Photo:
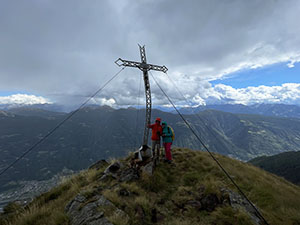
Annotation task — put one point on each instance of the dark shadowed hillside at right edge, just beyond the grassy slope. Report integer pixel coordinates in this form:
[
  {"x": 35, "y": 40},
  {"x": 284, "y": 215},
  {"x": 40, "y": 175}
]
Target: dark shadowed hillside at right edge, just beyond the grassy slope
[{"x": 285, "y": 164}]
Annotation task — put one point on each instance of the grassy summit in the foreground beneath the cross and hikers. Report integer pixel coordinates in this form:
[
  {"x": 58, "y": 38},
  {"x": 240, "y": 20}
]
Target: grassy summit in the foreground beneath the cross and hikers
[{"x": 170, "y": 196}]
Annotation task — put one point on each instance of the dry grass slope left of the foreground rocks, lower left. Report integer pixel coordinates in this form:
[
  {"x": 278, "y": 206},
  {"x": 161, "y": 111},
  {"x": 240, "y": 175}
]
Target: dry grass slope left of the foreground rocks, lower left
[{"x": 48, "y": 209}]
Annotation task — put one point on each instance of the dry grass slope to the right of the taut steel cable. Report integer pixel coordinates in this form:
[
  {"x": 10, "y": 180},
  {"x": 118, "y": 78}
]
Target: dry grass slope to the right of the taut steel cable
[{"x": 278, "y": 198}]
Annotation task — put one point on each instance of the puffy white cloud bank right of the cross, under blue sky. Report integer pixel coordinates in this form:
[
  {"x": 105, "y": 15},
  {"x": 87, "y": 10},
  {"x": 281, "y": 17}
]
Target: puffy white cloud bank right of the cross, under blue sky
[{"x": 288, "y": 93}]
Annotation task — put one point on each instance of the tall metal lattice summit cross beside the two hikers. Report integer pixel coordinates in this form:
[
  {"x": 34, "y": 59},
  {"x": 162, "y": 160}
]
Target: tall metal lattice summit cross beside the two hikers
[{"x": 144, "y": 67}]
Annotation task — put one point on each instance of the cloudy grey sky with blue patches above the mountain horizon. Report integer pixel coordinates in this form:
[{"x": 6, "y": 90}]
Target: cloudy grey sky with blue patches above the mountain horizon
[{"x": 217, "y": 52}]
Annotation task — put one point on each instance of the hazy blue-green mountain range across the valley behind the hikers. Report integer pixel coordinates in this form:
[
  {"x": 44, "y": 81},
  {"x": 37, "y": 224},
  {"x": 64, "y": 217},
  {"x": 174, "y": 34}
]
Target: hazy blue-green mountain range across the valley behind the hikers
[{"x": 103, "y": 132}]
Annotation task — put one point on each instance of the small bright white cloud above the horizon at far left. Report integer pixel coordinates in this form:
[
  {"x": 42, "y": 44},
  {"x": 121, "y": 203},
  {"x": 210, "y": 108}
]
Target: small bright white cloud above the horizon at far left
[{"x": 23, "y": 99}]
